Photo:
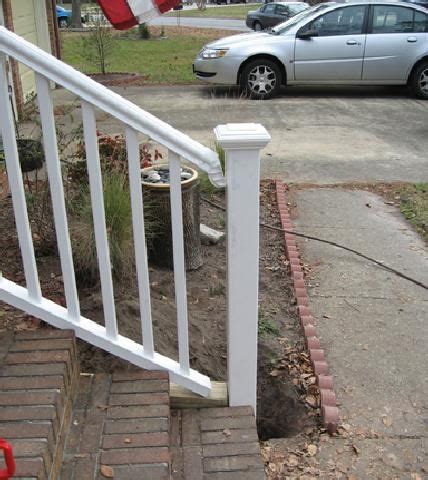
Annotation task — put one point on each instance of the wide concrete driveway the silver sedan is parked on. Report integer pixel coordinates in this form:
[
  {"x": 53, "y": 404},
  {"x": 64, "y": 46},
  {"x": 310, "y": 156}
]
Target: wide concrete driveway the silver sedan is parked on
[{"x": 319, "y": 135}]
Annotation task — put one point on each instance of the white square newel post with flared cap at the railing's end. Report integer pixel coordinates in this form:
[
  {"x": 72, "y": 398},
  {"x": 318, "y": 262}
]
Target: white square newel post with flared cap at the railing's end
[{"x": 242, "y": 144}]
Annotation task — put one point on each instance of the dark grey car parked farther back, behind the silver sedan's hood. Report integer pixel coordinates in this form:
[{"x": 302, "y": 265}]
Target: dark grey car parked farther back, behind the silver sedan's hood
[{"x": 271, "y": 14}]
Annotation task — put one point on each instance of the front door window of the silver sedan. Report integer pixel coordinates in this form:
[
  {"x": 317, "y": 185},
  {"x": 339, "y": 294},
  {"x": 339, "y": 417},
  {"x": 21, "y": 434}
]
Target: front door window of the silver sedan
[{"x": 342, "y": 21}]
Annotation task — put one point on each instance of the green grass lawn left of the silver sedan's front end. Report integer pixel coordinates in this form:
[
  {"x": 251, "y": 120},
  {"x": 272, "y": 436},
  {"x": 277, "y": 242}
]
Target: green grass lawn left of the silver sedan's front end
[{"x": 166, "y": 60}]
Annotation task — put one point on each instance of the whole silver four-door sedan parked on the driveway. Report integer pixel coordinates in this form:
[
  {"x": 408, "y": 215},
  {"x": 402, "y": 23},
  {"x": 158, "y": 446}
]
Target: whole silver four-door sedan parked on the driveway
[{"x": 359, "y": 43}]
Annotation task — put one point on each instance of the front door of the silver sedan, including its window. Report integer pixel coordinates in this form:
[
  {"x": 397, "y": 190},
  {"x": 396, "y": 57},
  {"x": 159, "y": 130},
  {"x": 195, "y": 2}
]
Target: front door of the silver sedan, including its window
[{"x": 335, "y": 51}]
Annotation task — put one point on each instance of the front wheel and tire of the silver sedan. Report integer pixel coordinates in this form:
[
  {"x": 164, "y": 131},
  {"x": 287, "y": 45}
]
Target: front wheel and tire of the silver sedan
[{"x": 261, "y": 79}]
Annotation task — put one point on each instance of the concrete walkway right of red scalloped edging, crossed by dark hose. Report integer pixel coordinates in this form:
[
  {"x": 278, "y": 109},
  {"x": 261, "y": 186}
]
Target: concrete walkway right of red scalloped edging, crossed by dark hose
[{"x": 373, "y": 327}]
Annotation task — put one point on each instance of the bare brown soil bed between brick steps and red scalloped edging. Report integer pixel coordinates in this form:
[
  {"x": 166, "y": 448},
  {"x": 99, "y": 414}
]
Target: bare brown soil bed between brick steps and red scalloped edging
[{"x": 288, "y": 397}]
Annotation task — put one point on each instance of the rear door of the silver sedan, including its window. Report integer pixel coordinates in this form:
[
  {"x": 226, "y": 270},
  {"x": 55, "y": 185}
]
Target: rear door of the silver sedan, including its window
[{"x": 396, "y": 37}]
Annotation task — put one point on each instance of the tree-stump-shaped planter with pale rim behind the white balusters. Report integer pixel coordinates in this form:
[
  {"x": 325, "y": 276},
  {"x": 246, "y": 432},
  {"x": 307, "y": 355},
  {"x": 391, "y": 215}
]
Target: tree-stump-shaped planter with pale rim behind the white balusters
[{"x": 157, "y": 203}]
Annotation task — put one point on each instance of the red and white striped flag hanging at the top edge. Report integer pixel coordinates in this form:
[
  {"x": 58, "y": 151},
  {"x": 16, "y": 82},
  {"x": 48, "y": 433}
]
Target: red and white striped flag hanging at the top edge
[{"x": 124, "y": 14}]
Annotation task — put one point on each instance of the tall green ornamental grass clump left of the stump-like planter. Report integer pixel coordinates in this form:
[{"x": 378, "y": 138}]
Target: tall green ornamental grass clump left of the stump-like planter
[{"x": 117, "y": 206}]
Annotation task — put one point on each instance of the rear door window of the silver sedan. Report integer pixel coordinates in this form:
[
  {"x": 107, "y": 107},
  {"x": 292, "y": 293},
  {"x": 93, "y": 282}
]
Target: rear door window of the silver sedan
[{"x": 392, "y": 19}]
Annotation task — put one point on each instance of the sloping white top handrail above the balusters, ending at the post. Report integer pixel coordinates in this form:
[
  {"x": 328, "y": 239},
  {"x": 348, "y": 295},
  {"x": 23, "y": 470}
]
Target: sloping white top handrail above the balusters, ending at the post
[{"x": 112, "y": 103}]
